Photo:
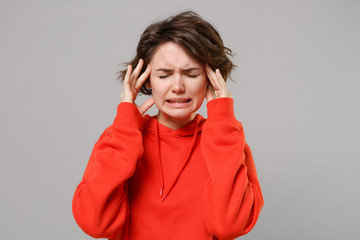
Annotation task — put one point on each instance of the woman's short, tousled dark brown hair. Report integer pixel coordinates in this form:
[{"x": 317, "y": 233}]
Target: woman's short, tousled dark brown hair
[{"x": 195, "y": 35}]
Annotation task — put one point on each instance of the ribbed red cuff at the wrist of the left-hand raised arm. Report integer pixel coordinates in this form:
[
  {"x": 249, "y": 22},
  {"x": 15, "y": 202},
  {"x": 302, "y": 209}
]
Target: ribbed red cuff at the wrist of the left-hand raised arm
[{"x": 128, "y": 115}]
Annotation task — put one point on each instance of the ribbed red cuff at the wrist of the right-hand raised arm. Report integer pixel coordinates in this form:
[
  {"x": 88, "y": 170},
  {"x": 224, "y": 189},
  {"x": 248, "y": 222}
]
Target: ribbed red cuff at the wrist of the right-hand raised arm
[{"x": 221, "y": 109}]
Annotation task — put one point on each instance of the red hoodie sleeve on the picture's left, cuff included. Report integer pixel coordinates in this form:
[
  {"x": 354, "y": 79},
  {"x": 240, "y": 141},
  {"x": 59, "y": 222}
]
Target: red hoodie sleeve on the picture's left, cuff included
[{"x": 100, "y": 205}]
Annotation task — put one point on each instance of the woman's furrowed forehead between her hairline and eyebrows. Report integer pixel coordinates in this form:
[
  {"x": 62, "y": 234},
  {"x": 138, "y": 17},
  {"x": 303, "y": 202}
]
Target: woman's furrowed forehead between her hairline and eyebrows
[{"x": 171, "y": 55}]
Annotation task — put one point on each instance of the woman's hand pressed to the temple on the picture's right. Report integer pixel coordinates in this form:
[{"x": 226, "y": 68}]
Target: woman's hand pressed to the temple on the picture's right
[{"x": 218, "y": 88}]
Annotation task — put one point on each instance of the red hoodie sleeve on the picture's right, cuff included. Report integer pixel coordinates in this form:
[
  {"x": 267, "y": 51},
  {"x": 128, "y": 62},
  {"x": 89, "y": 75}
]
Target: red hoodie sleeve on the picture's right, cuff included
[{"x": 233, "y": 194}]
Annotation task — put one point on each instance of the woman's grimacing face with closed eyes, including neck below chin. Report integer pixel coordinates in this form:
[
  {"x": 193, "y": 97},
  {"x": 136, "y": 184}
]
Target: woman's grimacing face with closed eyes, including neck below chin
[{"x": 178, "y": 84}]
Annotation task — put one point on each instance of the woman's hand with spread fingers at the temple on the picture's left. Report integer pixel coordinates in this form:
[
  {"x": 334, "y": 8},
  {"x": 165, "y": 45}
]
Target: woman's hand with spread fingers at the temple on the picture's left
[{"x": 133, "y": 83}]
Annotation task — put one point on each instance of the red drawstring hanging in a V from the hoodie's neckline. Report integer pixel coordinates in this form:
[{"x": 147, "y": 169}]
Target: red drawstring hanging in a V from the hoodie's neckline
[{"x": 187, "y": 158}]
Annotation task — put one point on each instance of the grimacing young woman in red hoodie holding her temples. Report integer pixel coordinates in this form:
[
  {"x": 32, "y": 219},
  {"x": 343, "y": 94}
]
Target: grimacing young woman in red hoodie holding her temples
[{"x": 175, "y": 175}]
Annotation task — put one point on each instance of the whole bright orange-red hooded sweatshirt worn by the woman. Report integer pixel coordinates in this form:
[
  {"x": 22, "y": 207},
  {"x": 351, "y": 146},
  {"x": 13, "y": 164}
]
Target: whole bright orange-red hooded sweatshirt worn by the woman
[{"x": 146, "y": 181}]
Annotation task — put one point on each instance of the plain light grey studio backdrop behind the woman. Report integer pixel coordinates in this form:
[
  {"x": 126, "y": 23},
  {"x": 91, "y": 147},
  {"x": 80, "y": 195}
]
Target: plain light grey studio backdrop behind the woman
[{"x": 296, "y": 92}]
